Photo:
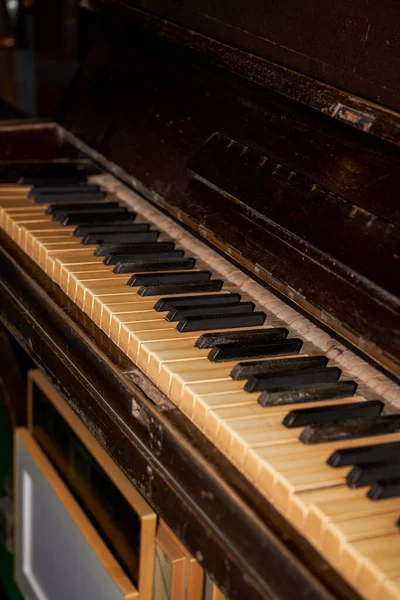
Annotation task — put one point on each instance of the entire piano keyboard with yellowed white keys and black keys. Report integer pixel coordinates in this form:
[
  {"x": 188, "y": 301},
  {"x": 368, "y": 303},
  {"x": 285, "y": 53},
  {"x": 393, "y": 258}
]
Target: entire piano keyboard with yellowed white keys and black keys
[{"x": 319, "y": 440}]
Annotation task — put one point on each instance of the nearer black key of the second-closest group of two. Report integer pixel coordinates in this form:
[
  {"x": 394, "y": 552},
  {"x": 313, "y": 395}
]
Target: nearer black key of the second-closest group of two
[{"x": 241, "y": 351}]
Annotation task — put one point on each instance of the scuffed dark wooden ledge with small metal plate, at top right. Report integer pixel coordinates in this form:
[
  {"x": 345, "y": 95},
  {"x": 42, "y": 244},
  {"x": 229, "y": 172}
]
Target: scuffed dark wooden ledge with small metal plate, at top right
[{"x": 336, "y": 102}]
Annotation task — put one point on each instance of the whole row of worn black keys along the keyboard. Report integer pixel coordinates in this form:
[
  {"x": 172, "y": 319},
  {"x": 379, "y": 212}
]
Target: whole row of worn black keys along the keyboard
[{"x": 133, "y": 247}]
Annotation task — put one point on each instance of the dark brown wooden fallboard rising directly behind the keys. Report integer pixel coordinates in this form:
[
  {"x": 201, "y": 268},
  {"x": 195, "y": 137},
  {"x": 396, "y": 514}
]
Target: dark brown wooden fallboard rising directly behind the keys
[{"x": 320, "y": 223}]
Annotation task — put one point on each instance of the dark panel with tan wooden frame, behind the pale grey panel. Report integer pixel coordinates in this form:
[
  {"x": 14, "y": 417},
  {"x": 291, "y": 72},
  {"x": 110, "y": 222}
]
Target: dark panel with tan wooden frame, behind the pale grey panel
[{"x": 121, "y": 516}]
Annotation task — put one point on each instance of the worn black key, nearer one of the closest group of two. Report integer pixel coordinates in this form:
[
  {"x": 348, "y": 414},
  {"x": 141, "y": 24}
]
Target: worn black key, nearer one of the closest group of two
[{"x": 350, "y": 429}]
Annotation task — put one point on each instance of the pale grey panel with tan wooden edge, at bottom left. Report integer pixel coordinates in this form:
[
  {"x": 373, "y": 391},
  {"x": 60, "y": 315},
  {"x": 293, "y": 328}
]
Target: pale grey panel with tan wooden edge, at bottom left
[{"x": 59, "y": 554}]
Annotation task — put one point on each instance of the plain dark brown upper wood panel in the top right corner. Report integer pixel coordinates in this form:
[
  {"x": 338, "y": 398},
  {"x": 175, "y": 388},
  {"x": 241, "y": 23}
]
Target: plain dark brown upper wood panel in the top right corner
[{"x": 351, "y": 45}]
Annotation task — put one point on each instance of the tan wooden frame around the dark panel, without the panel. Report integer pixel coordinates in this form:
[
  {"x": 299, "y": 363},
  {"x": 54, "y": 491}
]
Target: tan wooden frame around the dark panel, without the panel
[{"x": 145, "y": 513}]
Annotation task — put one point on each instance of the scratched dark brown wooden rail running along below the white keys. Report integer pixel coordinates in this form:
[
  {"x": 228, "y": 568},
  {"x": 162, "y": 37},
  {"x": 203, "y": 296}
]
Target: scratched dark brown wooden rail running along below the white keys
[{"x": 154, "y": 447}]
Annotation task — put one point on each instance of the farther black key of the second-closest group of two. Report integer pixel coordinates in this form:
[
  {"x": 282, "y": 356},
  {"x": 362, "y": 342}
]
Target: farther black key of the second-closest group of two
[{"x": 255, "y": 336}]
